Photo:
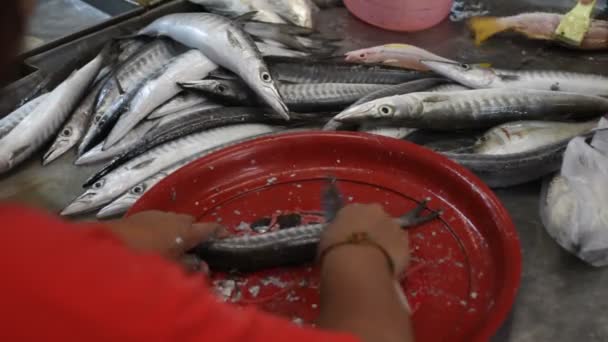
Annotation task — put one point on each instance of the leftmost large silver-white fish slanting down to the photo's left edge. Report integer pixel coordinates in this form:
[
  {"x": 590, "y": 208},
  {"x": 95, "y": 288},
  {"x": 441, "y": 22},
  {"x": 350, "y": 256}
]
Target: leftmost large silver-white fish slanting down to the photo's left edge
[{"x": 44, "y": 121}]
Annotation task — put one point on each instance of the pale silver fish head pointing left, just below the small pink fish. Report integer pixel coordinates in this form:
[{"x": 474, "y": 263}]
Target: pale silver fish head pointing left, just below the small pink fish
[{"x": 470, "y": 75}]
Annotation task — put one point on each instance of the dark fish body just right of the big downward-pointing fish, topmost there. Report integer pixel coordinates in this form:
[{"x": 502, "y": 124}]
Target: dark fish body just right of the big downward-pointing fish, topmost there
[{"x": 303, "y": 70}]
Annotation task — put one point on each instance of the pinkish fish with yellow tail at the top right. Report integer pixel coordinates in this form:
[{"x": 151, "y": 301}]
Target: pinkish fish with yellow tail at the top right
[{"x": 540, "y": 26}]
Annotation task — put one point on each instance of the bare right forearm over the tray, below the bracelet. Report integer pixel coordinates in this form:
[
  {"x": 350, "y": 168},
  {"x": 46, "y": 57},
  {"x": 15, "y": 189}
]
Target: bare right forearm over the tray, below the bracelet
[{"x": 359, "y": 296}]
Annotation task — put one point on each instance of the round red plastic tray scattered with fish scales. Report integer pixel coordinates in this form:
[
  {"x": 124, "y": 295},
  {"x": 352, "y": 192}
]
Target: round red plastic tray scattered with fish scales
[{"x": 466, "y": 267}]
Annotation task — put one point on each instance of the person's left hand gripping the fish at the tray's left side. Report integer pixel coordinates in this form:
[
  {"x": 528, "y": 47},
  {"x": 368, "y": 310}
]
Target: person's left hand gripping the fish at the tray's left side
[{"x": 168, "y": 234}]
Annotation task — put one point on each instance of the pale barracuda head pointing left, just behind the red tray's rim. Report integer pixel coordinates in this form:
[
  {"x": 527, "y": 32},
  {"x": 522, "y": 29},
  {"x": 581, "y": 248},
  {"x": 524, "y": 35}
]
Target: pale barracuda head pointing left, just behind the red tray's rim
[{"x": 383, "y": 109}]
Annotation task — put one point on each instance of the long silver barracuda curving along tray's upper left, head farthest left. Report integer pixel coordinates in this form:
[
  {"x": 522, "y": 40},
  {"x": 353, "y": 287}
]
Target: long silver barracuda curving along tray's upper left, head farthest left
[{"x": 120, "y": 180}]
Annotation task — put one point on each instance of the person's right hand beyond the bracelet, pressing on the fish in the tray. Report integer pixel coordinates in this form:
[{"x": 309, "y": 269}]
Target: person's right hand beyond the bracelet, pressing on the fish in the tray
[{"x": 373, "y": 220}]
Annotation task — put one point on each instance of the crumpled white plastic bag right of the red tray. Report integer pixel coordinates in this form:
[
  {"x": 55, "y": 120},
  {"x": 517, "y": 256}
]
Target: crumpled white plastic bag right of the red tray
[{"x": 574, "y": 205}]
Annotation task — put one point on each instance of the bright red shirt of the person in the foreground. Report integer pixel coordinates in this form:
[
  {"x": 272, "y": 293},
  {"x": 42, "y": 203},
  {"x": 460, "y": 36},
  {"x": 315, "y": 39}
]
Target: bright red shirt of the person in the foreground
[{"x": 68, "y": 282}]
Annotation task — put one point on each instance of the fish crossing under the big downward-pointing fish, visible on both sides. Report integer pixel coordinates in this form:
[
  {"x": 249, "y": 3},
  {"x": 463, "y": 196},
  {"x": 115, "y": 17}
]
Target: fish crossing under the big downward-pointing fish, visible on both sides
[{"x": 297, "y": 97}]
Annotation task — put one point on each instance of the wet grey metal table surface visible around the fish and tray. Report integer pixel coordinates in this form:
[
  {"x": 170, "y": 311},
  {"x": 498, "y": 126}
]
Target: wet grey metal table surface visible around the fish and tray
[{"x": 561, "y": 298}]
